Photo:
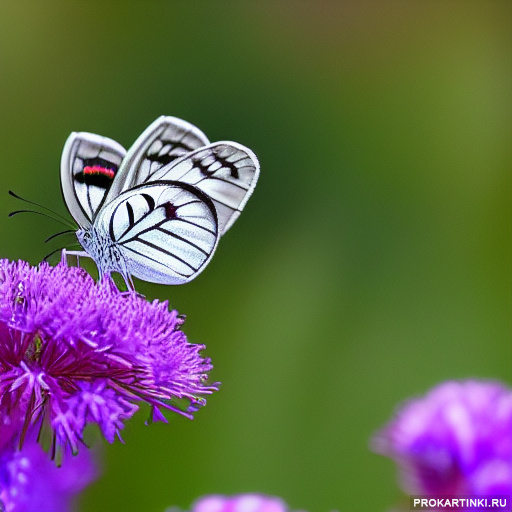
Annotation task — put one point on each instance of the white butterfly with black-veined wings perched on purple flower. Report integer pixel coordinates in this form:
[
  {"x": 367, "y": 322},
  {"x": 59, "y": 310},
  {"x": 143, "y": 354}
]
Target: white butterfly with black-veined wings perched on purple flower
[{"x": 158, "y": 210}]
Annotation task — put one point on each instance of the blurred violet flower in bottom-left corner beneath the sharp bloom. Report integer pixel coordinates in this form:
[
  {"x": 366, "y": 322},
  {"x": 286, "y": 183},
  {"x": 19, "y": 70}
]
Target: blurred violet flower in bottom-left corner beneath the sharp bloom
[{"x": 30, "y": 481}]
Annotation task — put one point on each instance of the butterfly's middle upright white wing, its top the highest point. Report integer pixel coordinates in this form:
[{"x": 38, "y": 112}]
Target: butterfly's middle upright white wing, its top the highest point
[{"x": 163, "y": 141}]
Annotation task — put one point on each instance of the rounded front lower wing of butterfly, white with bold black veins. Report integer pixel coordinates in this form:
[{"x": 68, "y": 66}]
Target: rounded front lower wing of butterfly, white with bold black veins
[{"x": 167, "y": 232}]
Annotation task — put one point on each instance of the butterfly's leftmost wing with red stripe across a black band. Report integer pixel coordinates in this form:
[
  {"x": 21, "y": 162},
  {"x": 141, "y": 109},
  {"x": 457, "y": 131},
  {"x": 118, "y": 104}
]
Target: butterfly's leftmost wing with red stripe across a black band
[{"x": 88, "y": 166}]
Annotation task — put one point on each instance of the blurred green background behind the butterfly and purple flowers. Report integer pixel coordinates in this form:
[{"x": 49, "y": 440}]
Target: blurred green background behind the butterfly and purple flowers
[{"x": 373, "y": 260}]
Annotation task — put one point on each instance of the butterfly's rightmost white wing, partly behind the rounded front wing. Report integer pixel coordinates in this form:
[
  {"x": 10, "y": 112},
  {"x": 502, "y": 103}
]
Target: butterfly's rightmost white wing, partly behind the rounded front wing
[{"x": 226, "y": 172}]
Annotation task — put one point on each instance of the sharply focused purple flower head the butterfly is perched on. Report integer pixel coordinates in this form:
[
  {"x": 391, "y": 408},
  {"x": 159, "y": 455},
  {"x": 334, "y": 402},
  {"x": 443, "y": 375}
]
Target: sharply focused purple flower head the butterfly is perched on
[{"x": 74, "y": 352}]
